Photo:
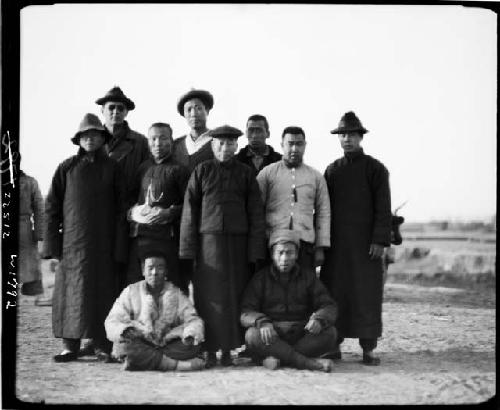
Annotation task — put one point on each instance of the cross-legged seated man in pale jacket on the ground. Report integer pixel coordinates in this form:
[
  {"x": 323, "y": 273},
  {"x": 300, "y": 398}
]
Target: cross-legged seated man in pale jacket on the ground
[{"x": 153, "y": 324}]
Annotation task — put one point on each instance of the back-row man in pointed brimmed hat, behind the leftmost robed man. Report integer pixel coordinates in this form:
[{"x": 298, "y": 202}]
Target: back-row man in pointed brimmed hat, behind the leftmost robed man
[{"x": 127, "y": 147}]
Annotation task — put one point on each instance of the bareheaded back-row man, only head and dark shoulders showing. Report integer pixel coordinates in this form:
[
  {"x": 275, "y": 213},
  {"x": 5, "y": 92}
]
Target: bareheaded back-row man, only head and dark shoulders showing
[{"x": 257, "y": 154}]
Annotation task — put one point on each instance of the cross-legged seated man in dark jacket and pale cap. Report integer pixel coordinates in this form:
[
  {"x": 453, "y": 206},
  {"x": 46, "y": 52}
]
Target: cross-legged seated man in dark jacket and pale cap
[{"x": 288, "y": 311}]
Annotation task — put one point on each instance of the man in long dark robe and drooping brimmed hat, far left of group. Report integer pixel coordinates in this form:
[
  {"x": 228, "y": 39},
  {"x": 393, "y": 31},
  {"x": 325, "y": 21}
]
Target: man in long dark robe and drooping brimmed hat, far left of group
[{"x": 83, "y": 212}]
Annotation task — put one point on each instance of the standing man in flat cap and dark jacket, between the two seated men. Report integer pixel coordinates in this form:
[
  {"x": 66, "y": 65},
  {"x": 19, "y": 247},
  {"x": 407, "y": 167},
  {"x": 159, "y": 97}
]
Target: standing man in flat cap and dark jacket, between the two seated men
[{"x": 222, "y": 231}]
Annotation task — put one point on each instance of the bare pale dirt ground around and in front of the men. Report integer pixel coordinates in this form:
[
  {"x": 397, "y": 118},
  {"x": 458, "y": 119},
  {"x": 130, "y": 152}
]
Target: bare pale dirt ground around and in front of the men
[{"x": 438, "y": 346}]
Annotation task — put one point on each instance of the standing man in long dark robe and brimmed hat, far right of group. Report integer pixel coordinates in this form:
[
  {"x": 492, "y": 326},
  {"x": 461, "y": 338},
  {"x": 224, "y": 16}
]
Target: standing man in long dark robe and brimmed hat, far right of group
[{"x": 358, "y": 185}]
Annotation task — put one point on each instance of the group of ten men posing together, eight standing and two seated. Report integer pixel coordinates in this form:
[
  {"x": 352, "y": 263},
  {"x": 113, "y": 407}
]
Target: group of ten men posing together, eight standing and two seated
[{"x": 247, "y": 230}]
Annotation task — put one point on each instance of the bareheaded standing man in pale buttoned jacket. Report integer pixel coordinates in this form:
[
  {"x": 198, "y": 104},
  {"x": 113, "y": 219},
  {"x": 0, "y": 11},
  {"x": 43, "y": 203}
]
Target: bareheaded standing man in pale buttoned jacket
[{"x": 296, "y": 197}]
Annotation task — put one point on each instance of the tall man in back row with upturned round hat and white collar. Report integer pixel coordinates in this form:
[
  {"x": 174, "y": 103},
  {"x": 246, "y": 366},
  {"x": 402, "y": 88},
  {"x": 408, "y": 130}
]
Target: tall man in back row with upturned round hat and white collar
[{"x": 193, "y": 148}]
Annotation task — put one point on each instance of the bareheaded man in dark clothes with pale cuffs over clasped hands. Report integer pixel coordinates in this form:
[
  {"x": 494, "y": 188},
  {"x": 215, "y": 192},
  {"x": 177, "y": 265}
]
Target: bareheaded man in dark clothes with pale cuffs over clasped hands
[{"x": 155, "y": 219}]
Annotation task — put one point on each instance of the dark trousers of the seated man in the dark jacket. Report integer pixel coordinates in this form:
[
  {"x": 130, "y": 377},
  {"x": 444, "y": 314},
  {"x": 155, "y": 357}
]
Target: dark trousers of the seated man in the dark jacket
[{"x": 293, "y": 346}]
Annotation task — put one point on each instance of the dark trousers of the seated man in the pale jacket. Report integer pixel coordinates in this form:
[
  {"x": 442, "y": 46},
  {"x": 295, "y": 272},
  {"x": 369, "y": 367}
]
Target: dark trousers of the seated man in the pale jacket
[{"x": 143, "y": 355}]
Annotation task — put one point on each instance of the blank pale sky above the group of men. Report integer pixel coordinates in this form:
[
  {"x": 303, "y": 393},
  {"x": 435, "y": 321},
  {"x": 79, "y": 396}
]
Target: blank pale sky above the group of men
[{"x": 422, "y": 79}]
